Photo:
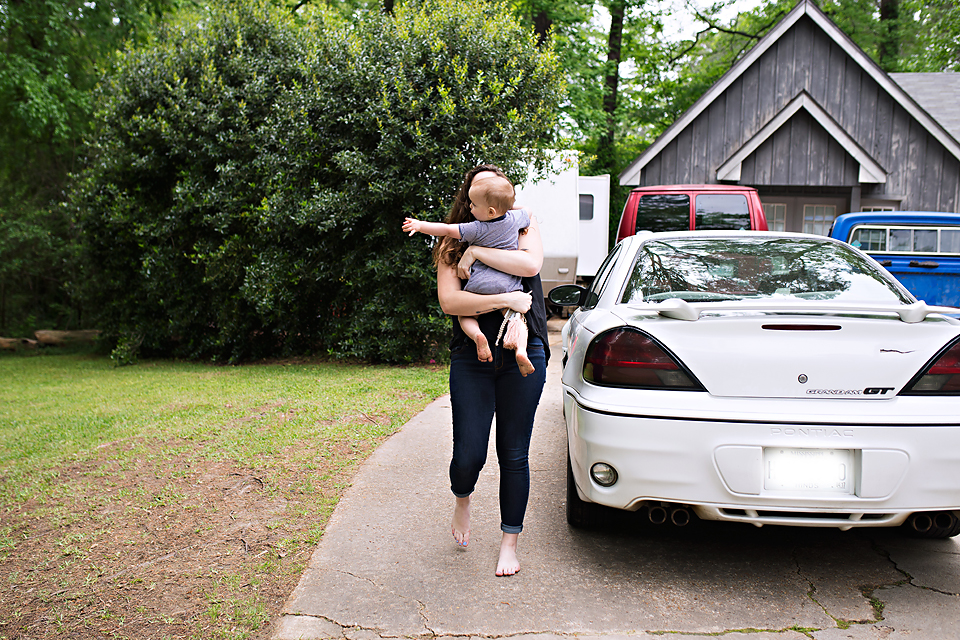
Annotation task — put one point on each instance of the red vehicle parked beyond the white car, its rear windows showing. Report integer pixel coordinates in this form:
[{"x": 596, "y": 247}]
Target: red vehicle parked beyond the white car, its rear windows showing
[{"x": 677, "y": 207}]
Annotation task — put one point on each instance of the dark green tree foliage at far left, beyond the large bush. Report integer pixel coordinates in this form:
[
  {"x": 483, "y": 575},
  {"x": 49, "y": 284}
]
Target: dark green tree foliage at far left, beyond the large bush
[{"x": 52, "y": 52}]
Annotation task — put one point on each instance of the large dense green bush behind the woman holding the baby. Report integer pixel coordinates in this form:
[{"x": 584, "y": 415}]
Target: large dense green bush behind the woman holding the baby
[{"x": 252, "y": 172}]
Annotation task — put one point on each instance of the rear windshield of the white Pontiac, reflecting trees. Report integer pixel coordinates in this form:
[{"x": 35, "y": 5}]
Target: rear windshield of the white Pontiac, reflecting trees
[{"x": 732, "y": 268}]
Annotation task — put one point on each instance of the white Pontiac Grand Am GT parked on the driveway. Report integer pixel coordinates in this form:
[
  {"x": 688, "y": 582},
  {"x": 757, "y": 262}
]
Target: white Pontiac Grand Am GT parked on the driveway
[{"x": 769, "y": 378}]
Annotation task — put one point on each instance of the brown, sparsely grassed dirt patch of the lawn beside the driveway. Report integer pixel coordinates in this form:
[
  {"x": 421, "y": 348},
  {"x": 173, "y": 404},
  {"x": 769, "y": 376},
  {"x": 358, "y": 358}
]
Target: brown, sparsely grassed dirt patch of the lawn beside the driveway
[{"x": 142, "y": 539}]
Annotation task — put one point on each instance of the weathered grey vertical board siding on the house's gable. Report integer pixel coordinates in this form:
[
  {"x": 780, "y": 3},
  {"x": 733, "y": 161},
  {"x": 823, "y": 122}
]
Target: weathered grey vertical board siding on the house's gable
[{"x": 921, "y": 173}]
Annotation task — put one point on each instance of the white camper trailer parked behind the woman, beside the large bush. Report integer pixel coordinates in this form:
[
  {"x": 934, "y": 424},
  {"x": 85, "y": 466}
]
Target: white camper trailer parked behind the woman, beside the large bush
[{"x": 574, "y": 234}]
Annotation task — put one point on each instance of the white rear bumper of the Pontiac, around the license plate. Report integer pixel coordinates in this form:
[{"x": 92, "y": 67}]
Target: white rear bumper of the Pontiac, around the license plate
[{"x": 717, "y": 468}]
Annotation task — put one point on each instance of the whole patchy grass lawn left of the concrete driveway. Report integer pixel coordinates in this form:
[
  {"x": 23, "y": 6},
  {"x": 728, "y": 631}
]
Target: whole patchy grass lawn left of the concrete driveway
[{"x": 177, "y": 497}]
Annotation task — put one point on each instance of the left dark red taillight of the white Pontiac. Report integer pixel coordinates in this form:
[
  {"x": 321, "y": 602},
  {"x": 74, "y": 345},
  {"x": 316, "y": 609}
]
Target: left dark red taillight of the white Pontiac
[{"x": 628, "y": 358}]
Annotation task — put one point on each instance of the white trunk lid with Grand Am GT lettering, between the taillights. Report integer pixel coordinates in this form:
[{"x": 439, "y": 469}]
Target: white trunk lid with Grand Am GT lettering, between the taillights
[{"x": 801, "y": 356}]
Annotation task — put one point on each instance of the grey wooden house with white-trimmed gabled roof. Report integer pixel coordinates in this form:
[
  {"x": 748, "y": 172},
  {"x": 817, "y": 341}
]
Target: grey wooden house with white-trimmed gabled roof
[{"x": 810, "y": 121}]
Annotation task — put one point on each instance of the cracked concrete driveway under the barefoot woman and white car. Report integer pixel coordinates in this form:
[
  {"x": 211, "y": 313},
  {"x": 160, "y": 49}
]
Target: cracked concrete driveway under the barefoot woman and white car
[{"x": 388, "y": 567}]
